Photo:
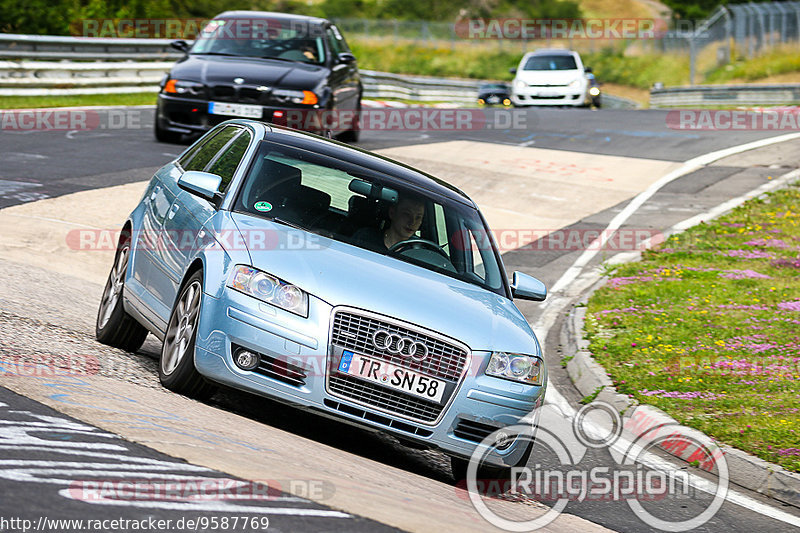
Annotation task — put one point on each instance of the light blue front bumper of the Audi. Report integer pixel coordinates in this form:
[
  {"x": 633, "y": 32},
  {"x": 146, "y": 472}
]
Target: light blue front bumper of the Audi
[{"x": 300, "y": 354}]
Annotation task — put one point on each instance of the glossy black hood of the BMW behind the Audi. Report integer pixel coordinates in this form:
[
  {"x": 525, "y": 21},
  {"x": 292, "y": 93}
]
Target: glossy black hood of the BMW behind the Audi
[{"x": 215, "y": 70}]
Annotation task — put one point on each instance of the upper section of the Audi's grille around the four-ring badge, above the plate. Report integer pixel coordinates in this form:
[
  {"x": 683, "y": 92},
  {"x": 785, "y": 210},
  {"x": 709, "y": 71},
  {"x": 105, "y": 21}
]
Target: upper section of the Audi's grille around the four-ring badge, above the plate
[{"x": 354, "y": 332}]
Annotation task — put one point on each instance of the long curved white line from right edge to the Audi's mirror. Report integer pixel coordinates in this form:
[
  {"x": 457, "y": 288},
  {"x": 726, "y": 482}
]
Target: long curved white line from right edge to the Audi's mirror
[{"x": 689, "y": 166}]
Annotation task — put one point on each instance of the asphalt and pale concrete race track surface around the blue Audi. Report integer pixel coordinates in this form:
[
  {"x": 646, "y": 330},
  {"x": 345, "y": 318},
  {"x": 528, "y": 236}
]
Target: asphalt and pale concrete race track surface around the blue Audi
[{"x": 565, "y": 170}]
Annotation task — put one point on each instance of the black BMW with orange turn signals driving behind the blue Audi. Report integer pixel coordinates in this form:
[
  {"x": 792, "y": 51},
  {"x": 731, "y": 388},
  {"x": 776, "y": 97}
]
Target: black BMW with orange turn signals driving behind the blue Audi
[{"x": 263, "y": 66}]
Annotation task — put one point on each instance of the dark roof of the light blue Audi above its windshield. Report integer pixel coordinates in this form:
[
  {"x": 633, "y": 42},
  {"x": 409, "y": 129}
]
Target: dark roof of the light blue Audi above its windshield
[{"x": 360, "y": 157}]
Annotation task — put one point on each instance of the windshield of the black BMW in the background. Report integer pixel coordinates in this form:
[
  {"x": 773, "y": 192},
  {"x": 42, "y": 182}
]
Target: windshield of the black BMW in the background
[{"x": 261, "y": 38}]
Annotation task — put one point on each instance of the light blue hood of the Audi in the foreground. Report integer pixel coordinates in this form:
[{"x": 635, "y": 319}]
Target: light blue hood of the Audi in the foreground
[{"x": 342, "y": 274}]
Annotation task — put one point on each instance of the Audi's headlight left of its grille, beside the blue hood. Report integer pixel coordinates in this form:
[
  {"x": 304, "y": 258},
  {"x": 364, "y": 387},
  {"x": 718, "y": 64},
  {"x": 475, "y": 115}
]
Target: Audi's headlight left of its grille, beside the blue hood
[{"x": 270, "y": 289}]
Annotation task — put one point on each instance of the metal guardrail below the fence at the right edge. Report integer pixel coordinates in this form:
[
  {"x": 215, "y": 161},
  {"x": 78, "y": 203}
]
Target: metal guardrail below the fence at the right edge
[{"x": 725, "y": 95}]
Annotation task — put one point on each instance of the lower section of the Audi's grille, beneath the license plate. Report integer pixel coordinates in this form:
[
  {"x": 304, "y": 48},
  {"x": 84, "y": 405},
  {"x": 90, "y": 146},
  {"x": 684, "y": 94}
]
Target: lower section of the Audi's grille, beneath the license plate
[{"x": 388, "y": 399}]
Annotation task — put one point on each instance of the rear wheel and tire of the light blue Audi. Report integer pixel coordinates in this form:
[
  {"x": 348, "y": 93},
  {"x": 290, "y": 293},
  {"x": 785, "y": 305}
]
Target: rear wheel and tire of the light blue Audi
[{"x": 114, "y": 326}]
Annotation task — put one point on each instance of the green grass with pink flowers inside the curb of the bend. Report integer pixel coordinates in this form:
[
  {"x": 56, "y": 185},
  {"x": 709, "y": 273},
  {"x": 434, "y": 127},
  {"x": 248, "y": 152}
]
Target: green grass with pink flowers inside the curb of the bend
[{"x": 707, "y": 328}]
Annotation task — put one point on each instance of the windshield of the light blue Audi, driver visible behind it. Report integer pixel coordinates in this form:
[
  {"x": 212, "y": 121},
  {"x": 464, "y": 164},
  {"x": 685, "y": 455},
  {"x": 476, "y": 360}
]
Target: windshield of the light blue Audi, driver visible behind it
[{"x": 360, "y": 207}]
